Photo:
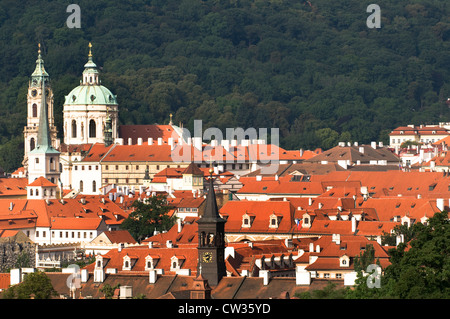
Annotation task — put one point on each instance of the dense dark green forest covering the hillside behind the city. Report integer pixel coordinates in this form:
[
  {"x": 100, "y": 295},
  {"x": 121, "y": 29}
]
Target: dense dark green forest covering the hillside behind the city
[{"x": 313, "y": 68}]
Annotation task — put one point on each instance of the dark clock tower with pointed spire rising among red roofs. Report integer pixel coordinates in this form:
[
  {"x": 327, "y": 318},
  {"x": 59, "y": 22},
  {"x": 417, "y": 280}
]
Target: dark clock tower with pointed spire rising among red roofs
[{"x": 211, "y": 240}]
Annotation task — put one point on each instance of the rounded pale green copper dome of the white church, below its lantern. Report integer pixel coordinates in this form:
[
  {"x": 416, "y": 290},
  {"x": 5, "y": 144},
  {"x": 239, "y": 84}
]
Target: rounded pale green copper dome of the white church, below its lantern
[{"x": 90, "y": 94}]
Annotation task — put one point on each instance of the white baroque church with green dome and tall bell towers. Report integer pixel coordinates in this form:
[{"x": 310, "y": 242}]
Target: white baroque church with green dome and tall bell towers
[{"x": 90, "y": 115}]
